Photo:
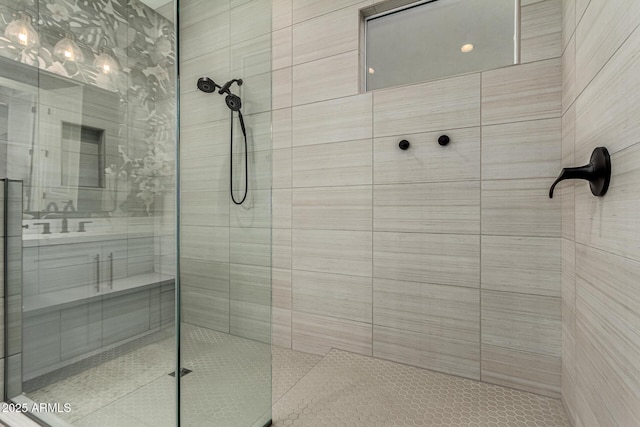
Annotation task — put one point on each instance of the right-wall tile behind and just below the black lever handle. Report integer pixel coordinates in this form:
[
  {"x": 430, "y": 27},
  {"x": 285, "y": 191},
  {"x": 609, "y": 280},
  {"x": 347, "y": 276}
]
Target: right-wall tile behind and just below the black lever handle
[{"x": 611, "y": 223}]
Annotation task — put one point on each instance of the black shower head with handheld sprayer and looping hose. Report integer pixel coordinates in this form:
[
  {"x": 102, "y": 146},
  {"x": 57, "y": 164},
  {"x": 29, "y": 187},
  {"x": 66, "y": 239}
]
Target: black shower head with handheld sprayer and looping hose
[{"x": 234, "y": 103}]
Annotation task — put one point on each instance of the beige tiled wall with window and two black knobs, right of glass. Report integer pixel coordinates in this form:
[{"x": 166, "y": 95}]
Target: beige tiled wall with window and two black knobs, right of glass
[{"x": 442, "y": 257}]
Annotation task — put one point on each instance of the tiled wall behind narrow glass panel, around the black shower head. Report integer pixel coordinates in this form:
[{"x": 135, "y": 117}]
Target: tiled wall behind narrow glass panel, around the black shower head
[{"x": 225, "y": 264}]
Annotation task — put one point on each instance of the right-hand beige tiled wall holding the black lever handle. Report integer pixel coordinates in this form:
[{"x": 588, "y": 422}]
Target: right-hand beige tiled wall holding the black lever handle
[{"x": 600, "y": 251}]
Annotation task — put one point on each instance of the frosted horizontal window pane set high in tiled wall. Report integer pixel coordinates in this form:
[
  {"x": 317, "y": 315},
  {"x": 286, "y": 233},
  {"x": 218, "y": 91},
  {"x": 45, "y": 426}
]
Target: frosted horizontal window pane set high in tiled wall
[{"x": 431, "y": 40}]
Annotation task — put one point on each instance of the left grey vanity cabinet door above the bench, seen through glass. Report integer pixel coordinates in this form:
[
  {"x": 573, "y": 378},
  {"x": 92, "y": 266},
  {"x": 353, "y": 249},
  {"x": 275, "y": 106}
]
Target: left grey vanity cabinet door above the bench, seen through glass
[{"x": 69, "y": 266}]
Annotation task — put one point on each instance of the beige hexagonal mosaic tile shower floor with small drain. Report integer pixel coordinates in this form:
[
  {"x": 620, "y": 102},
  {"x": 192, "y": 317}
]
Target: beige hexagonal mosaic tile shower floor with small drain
[{"x": 339, "y": 389}]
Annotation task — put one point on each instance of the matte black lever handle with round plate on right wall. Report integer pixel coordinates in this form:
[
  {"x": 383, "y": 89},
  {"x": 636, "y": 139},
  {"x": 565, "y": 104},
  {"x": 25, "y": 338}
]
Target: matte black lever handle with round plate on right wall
[{"x": 597, "y": 172}]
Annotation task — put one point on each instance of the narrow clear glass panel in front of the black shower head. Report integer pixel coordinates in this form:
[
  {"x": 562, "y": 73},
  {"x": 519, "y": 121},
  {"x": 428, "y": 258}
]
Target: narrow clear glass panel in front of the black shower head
[{"x": 225, "y": 264}]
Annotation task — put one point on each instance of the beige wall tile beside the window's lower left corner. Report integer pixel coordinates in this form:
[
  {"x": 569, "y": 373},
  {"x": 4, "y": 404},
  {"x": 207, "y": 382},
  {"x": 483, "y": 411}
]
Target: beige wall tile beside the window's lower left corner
[{"x": 327, "y": 78}]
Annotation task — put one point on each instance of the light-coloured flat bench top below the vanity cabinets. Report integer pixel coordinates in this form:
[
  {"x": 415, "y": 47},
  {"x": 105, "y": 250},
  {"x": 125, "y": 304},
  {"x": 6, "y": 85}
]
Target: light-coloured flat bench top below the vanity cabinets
[{"x": 57, "y": 300}]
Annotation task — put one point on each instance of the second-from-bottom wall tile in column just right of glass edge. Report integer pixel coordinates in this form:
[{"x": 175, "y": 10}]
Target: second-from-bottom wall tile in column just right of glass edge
[{"x": 334, "y": 295}]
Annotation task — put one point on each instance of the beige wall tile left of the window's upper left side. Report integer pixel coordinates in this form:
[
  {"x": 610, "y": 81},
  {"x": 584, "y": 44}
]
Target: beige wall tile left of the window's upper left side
[{"x": 327, "y": 35}]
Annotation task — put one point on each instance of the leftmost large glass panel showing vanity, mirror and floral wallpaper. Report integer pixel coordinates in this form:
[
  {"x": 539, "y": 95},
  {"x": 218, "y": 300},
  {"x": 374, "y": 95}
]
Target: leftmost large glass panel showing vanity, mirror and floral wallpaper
[{"x": 92, "y": 86}]
